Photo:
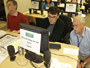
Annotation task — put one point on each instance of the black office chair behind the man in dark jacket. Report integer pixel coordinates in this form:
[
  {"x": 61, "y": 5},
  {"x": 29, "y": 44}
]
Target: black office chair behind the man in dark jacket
[{"x": 67, "y": 29}]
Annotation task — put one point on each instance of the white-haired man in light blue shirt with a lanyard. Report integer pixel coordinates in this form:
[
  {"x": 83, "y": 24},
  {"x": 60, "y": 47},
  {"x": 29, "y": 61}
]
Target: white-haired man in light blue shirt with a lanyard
[{"x": 80, "y": 37}]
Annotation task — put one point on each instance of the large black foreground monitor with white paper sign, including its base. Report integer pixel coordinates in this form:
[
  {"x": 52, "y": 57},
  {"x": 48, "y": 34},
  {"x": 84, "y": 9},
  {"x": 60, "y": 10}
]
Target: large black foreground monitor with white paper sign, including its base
[{"x": 34, "y": 38}]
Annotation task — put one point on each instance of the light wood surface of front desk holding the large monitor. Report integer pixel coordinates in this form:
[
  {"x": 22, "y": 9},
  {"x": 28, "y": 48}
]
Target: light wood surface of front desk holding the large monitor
[{"x": 21, "y": 60}]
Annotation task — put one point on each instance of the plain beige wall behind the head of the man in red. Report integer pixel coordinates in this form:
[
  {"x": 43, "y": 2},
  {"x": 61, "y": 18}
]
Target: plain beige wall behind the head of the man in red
[{"x": 23, "y": 6}]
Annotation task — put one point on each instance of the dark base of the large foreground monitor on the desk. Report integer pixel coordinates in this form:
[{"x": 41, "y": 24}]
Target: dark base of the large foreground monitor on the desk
[{"x": 33, "y": 57}]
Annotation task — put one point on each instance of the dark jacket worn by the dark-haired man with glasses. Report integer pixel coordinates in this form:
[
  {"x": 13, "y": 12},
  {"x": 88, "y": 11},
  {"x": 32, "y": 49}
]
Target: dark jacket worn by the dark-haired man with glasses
[{"x": 57, "y": 30}]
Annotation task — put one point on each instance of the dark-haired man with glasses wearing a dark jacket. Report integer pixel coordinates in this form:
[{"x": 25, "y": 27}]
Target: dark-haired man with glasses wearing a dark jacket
[{"x": 53, "y": 24}]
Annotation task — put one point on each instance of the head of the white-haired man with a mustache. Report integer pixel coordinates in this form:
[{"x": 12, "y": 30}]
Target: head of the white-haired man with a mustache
[{"x": 78, "y": 25}]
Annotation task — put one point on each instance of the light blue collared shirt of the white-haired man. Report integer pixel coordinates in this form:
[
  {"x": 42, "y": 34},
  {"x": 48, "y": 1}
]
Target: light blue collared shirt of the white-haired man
[{"x": 83, "y": 41}]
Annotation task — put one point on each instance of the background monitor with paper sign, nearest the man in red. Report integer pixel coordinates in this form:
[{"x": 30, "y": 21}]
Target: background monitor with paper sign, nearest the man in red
[{"x": 36, "y": 5}]
